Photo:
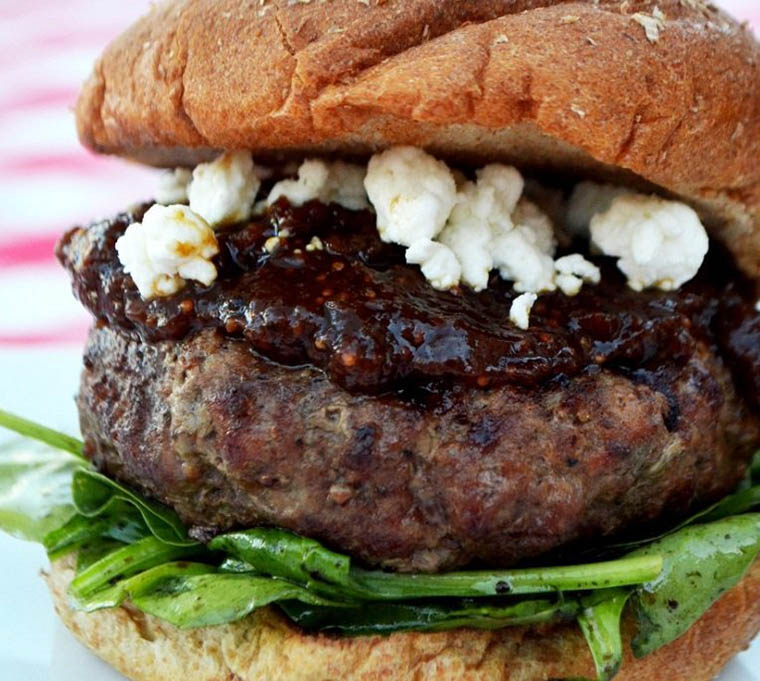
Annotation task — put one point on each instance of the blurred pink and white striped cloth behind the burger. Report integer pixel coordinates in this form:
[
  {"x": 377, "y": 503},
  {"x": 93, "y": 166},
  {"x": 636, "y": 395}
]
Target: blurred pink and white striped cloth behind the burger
[{"x": 47, "y": 181}]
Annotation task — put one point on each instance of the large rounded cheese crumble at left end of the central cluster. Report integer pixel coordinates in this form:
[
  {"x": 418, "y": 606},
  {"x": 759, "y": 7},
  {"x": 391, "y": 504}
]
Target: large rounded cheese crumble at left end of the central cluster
[{"x": 412, "y": 192}]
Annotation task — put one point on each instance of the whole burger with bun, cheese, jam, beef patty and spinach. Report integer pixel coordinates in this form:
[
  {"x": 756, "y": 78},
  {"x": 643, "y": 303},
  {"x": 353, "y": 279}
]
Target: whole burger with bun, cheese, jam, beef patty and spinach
[{"x": 436, "y": 356}]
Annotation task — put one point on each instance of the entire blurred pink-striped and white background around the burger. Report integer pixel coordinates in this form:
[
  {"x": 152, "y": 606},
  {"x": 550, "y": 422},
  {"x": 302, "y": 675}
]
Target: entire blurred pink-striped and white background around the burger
[{"x": 48, "y": 183}]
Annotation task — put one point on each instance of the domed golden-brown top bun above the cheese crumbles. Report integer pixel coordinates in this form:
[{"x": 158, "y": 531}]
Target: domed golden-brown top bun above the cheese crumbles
[{"x": 603, "y": 88}]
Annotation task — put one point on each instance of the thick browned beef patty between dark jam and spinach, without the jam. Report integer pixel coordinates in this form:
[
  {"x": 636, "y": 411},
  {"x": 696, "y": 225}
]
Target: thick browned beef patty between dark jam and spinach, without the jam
[{"x": 424, "y": 481}]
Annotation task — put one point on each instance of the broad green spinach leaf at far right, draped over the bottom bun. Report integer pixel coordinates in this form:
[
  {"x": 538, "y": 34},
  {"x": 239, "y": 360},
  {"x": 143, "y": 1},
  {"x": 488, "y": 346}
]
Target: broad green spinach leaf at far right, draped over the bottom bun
[{"x": 701, "y": 563}]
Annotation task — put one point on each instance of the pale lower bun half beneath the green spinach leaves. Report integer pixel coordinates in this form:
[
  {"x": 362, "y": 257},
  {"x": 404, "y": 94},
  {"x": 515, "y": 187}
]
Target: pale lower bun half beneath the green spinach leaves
[{"x": 265, "y": 647}]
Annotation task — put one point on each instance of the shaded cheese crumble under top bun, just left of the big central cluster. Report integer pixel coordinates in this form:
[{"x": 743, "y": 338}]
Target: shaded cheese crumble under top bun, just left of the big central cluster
[{"x": 337, "y": 182}]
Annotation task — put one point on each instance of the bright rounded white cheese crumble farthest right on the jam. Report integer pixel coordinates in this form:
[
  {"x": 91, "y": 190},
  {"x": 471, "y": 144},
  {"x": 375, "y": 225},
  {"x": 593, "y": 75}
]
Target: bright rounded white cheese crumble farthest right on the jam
[{"x": 660, "y": 244}]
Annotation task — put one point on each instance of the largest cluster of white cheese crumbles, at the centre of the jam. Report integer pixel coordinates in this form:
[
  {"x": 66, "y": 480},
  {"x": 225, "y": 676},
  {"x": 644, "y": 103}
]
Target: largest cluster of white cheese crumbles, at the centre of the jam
[{"x": 459, "y": 231}]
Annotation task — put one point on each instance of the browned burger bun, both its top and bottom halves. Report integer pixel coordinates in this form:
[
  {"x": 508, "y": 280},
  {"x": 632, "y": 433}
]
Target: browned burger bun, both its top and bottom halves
[{"x": 599, "y": 89}]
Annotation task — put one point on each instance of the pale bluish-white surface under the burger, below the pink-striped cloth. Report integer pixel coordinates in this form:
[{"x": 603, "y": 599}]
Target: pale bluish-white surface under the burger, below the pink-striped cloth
[{"x": 34, "y": 646}]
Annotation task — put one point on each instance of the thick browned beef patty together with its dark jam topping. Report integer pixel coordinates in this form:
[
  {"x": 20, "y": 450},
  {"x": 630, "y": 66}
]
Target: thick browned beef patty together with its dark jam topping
[{"x": 613, "y": 409}]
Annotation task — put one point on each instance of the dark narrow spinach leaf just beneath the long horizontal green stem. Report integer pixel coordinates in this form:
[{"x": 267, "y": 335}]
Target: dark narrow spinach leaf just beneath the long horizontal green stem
[{"x": 387, "y": 618}]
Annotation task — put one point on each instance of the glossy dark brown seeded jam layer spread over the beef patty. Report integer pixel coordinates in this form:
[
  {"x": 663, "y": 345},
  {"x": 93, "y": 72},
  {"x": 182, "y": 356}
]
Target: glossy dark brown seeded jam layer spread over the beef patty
[{"x": 373, "y": 324}]
